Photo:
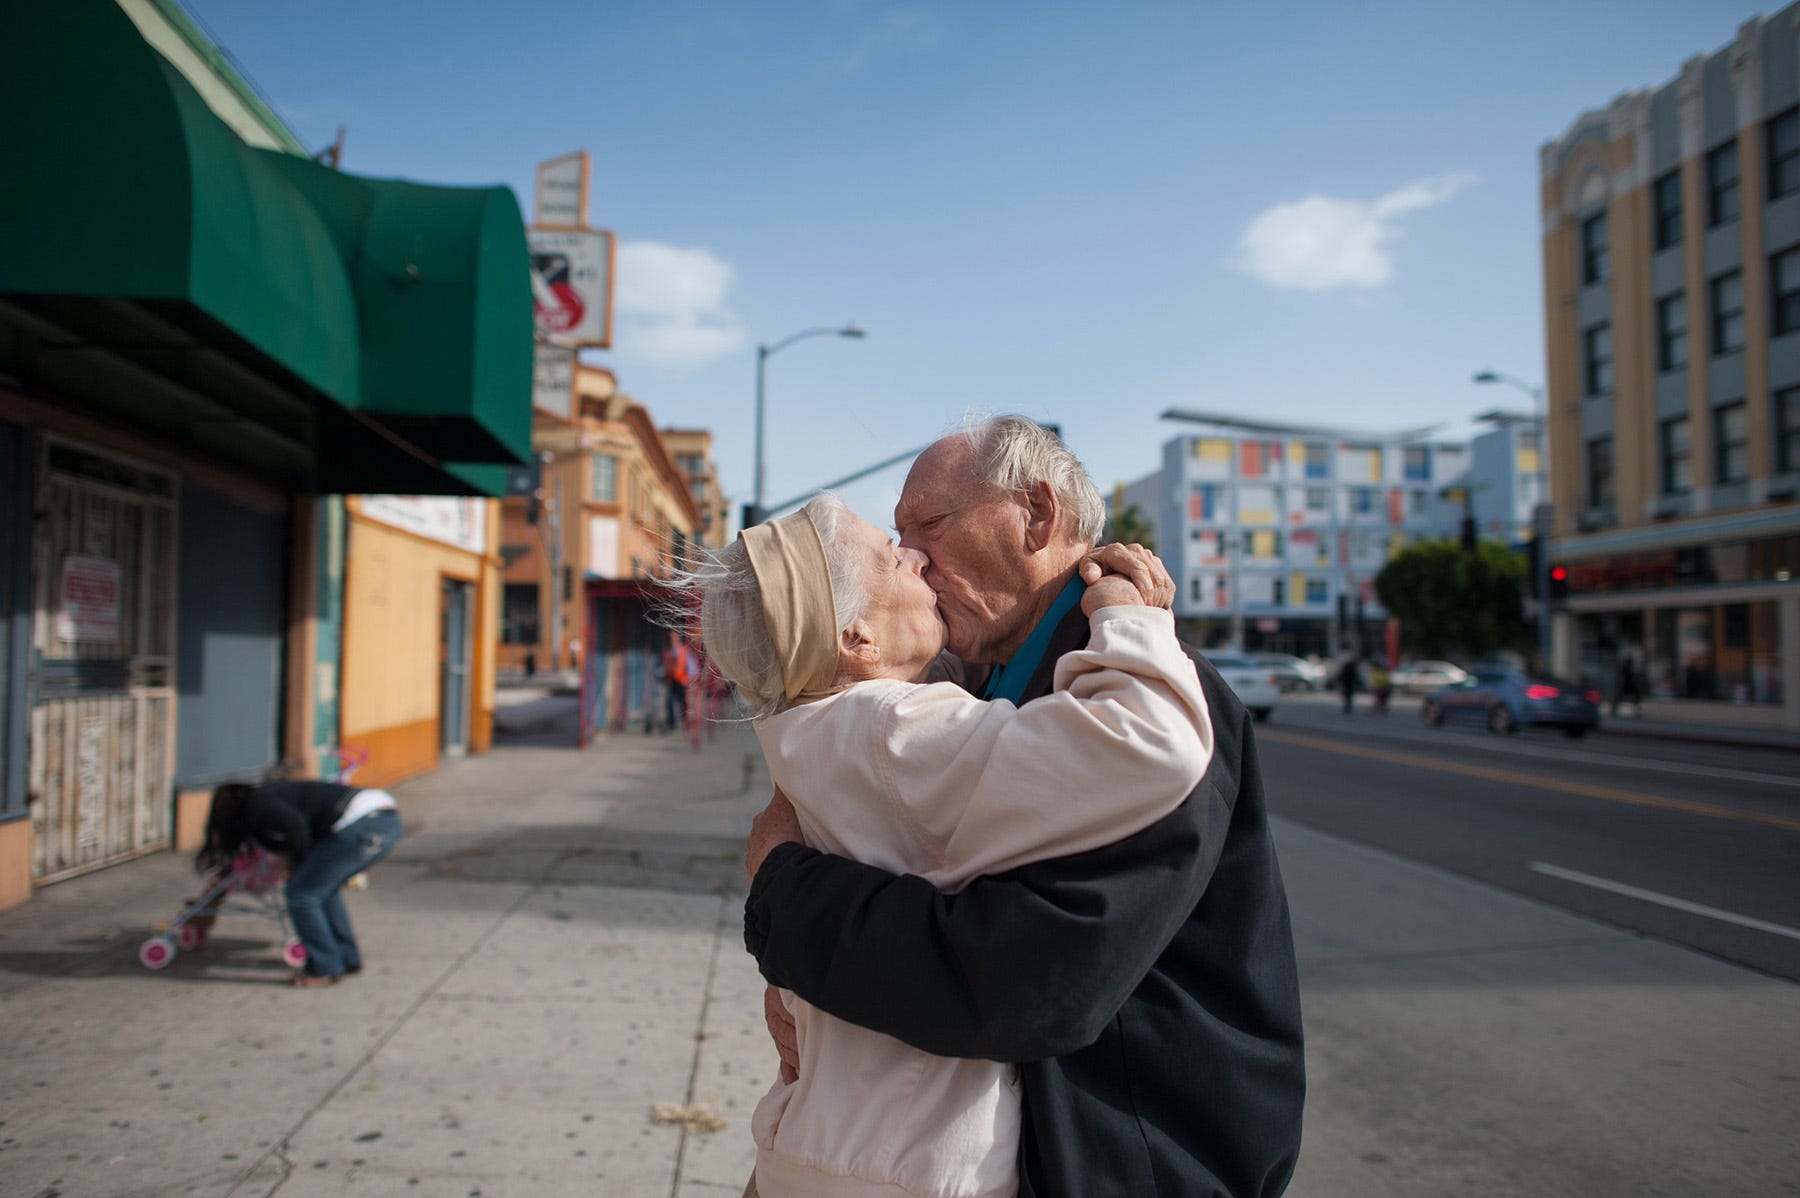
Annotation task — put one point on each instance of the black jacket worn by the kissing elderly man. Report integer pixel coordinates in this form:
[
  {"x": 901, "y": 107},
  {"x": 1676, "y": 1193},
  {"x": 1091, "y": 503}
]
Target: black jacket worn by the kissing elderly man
[{"x": 1147, "y": 988}]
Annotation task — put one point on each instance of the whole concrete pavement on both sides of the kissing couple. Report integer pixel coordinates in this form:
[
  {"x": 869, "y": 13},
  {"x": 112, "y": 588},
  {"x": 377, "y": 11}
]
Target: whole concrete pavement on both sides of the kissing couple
[{"x": 555, "y": 952}]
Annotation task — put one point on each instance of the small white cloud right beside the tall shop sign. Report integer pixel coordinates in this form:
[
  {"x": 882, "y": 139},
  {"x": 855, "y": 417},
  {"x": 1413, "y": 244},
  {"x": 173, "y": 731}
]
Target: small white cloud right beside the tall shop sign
[{"x": 672, "y": 307}]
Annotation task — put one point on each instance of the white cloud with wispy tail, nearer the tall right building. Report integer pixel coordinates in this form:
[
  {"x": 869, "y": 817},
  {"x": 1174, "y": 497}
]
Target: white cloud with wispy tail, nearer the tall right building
[{"x": 1322, "y": 242}]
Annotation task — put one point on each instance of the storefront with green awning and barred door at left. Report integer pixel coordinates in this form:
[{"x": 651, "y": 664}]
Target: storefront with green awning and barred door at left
[{"x": 201, "y": 341}]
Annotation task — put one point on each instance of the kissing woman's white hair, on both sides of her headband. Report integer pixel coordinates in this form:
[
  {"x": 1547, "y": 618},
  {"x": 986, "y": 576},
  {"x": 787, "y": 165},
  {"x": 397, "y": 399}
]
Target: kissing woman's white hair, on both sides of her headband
[{"x": 732, "y": 605}]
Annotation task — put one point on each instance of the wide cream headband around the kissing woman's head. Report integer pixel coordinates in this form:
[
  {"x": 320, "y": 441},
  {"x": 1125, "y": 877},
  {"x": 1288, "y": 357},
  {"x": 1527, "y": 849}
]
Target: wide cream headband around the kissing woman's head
[{"x": 800, "y": 614}]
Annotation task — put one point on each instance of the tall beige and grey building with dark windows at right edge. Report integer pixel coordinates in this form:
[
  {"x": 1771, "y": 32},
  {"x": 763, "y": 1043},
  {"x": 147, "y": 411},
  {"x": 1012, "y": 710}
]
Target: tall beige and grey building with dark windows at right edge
[{"x": 1671, "y": 235}]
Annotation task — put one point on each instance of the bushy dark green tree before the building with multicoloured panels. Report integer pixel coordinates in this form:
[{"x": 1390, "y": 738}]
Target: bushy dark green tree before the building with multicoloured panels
[{"x": 1452, "y": 602}]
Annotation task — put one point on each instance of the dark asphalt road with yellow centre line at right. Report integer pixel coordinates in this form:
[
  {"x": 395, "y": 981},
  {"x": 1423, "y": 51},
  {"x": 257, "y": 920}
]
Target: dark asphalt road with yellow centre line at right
[{"x": 1696, "y": 845}]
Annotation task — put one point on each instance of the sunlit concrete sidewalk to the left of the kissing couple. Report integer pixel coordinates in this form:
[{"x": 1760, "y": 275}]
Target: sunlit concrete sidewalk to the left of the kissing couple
[{"x": 553, "y": 952}]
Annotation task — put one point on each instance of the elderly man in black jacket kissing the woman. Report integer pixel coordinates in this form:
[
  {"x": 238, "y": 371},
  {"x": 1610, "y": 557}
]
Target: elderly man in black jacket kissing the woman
[{"x": 1147, "y": 988}]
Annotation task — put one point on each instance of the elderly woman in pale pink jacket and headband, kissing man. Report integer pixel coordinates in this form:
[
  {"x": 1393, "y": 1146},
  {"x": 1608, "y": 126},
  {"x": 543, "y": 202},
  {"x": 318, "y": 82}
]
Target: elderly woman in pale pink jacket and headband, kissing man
[{"x": 831, "y": 632}]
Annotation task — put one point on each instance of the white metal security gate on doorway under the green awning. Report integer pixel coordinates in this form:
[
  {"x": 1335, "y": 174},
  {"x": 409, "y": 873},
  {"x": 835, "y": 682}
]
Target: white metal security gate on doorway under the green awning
[{"x": 102, "y": 756}]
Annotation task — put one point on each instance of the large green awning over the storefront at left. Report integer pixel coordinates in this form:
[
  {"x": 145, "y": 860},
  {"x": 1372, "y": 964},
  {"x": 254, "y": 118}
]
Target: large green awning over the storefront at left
[{"x": 138, "y": 226}]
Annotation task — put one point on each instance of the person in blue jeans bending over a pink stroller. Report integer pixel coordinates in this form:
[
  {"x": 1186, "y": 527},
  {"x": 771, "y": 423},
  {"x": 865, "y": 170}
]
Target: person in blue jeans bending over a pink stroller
[{"x": 328, "y": 834}]
